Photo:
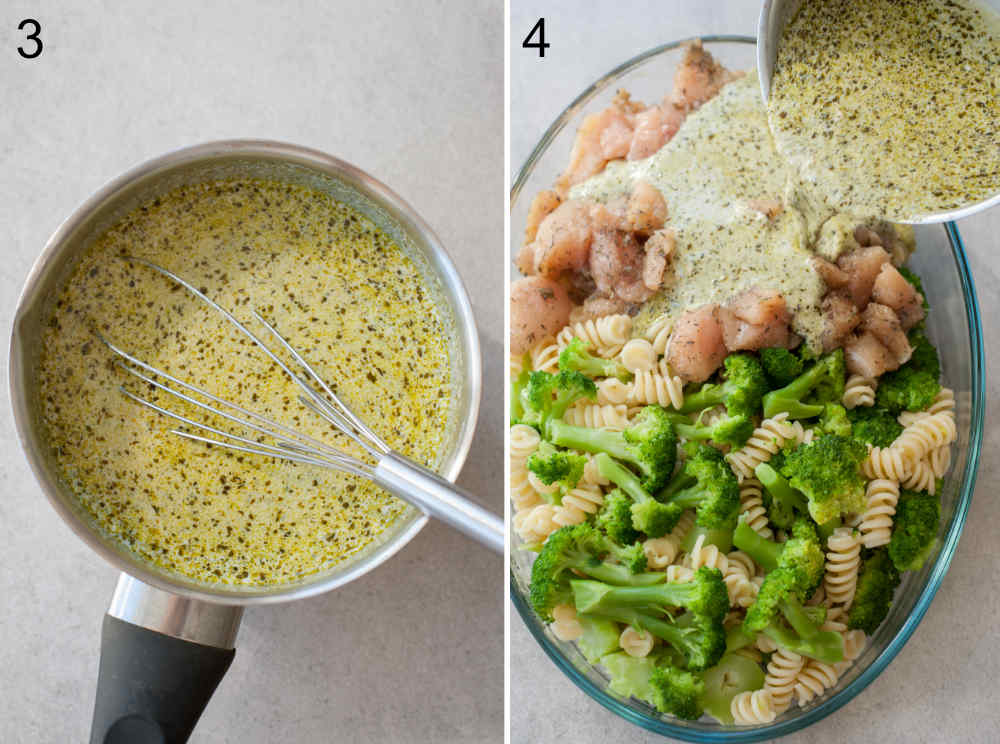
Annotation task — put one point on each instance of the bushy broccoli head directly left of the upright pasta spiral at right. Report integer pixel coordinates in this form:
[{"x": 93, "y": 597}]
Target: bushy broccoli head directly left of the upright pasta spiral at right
[{"x": 828, "y": 472}]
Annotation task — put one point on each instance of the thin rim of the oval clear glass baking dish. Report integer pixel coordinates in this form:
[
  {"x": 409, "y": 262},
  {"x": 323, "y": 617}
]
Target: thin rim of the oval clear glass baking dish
[{"x": 949, "y": 543}]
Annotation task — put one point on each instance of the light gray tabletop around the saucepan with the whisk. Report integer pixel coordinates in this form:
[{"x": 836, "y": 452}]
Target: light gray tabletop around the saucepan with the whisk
[{"x": 414, "y": 95}]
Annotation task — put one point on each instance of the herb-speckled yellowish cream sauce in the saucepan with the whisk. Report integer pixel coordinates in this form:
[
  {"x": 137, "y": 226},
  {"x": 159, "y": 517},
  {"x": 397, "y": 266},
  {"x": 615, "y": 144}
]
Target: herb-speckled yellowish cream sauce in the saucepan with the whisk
[{"x": 343, "y": 293}]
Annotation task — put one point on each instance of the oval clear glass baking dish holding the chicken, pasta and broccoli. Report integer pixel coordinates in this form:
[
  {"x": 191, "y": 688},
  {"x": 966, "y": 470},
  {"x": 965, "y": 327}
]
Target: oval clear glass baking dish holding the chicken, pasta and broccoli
[{"x": 954, "y": 325}]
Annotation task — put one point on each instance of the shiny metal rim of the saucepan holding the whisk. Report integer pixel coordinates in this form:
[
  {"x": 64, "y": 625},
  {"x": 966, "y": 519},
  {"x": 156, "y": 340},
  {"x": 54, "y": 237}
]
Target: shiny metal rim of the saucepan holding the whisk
[{"x": 439, "y": 263}]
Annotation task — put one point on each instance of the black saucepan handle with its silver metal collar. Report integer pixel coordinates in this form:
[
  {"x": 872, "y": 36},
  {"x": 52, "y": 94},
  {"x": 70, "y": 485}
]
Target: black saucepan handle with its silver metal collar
[{"x": 162, "y": 656}]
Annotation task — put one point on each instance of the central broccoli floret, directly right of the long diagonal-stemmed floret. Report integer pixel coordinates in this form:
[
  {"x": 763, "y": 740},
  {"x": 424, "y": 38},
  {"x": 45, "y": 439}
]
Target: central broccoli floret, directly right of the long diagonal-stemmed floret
[{"x": 706, "y": 482}]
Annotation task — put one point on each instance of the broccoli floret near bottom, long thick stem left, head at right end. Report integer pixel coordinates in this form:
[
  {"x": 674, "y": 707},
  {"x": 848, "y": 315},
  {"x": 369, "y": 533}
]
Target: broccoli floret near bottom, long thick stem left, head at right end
[{"x": 698, "y": 636}]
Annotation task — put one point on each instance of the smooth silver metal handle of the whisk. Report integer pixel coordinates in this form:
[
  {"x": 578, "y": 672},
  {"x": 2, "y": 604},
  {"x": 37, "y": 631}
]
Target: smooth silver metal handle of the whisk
[{"x": 440, "y": 498}]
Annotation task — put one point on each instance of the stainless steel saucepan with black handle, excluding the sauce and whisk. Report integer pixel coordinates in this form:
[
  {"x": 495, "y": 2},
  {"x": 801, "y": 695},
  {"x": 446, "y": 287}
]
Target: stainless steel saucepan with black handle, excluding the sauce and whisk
[{"x": 167, "y": 639}]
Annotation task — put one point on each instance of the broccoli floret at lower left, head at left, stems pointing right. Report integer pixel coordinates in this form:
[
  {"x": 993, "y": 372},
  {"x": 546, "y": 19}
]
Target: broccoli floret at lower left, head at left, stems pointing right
[{"x": 582, "y": 548}]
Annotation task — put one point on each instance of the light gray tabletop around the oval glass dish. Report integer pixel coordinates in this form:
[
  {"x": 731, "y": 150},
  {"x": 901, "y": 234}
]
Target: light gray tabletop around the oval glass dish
[{"x": 941, "y": 687}]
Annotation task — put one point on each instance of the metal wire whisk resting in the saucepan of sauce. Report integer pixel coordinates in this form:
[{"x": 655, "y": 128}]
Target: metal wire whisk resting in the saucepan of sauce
[{"x": 392, "y": 471}]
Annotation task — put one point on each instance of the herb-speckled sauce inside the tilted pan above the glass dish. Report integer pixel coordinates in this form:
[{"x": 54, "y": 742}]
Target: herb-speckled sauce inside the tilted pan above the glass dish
[{"x": 890, "y": 108}]
